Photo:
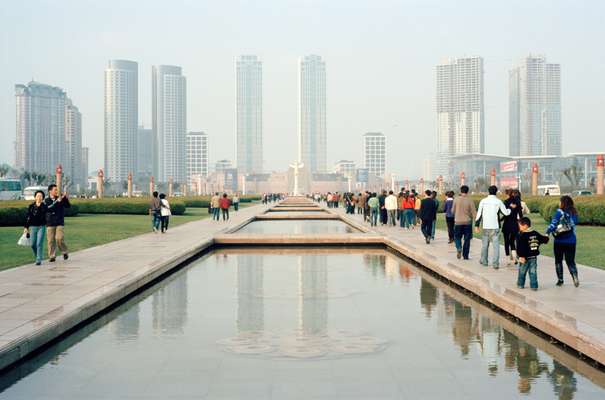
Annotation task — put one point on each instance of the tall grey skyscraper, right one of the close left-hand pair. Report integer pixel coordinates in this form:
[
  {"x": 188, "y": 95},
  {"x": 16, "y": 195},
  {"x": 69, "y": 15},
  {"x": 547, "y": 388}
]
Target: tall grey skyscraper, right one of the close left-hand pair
[{"x": 169, "y": 113}]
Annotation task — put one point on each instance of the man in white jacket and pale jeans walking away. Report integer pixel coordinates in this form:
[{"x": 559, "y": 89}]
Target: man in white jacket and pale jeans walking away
[{"x": 487, "y": 215}]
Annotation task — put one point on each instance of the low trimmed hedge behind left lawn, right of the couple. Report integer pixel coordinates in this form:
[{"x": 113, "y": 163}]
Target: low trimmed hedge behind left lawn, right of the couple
[{"x": 122, "y": 205}]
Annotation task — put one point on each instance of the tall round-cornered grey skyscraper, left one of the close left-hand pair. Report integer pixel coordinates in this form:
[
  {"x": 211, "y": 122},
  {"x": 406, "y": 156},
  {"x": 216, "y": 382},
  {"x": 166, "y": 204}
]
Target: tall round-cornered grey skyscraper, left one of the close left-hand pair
[{"x": 121, "y": 118}]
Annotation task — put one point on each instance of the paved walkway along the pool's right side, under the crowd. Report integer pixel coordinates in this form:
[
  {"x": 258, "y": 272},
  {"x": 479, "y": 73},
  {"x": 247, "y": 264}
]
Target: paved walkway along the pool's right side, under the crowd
[{"x": 574, "y": 316}]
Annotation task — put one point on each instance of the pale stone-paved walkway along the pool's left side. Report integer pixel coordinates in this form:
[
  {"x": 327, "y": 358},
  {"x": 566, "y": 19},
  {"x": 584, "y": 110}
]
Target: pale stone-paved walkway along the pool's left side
[{"x": 40, "y": 303}]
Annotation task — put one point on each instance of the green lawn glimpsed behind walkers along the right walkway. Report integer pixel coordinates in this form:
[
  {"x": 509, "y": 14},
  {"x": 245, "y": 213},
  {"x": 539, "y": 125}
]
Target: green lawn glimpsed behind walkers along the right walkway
[{"x": 590, "y": 241}]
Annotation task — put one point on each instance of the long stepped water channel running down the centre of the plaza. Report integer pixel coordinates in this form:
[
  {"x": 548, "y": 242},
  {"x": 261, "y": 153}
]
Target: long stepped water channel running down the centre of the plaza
[{"x": 299, "y": 303}]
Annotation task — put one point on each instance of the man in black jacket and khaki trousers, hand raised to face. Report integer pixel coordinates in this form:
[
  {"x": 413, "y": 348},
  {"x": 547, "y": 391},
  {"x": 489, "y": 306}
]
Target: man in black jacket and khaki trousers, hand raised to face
[{"x": 55, "y": 221}]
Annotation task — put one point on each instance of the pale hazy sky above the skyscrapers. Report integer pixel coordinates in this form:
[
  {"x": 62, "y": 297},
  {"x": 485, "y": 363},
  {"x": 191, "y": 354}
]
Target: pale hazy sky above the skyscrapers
[{"x": 380, "y": 58}]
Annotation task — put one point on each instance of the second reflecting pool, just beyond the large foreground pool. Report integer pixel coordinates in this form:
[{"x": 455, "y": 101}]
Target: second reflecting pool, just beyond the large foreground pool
[{"x": 300, "y": 226}]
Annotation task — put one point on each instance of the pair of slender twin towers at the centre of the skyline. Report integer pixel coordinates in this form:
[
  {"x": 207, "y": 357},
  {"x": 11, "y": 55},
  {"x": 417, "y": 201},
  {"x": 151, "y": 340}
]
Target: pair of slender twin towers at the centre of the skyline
[{"x": 312, "y": 141}]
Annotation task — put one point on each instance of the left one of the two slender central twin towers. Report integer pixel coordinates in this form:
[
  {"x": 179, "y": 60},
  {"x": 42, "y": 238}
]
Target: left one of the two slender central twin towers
[{"x": 249, "y": 114}]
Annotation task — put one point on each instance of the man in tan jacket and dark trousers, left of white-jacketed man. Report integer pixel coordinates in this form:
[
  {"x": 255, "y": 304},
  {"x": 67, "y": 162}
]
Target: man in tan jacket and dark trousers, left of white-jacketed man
[{"x": 463, "y": 210}]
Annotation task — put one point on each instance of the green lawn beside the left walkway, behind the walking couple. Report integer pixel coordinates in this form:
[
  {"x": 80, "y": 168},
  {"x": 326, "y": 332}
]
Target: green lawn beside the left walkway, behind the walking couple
[{"x": 87, "y": 230}]
